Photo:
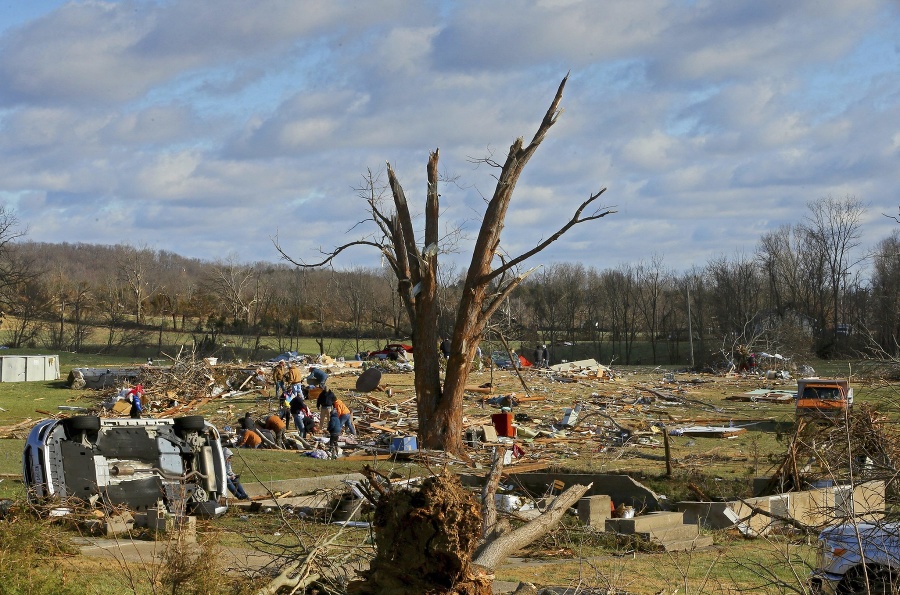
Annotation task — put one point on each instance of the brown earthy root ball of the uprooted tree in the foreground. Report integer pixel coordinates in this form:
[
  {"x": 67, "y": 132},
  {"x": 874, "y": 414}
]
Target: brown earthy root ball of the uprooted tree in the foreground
[{"x": 425, "y": 541}]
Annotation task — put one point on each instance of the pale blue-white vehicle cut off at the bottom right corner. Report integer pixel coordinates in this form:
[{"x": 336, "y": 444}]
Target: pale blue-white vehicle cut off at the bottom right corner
[{"x": 851, "y": 555}]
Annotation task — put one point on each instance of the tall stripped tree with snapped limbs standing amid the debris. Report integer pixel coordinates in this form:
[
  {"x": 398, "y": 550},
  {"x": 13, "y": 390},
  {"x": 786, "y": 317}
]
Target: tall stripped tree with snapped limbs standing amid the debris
[{"x": 490, "y": 279}]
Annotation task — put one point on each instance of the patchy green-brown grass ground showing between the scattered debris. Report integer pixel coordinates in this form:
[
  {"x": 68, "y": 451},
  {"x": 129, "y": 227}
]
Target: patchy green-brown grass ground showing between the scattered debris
[{"x": 571, "y": 555}]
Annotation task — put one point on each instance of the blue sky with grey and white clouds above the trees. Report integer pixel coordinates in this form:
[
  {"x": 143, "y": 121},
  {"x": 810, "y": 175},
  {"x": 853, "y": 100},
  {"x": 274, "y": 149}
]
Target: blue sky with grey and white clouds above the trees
[{"x": 209, "y": 128}]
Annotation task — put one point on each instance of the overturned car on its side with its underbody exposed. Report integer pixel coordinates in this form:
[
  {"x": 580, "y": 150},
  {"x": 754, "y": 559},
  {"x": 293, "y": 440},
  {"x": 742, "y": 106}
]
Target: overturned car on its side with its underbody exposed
[{"x": 134, "y": 462}]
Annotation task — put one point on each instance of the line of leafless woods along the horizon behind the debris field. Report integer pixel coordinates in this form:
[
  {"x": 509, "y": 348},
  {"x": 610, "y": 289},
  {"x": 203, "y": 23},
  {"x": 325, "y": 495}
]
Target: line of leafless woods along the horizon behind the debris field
[{"x": 807, "y": 289}]
